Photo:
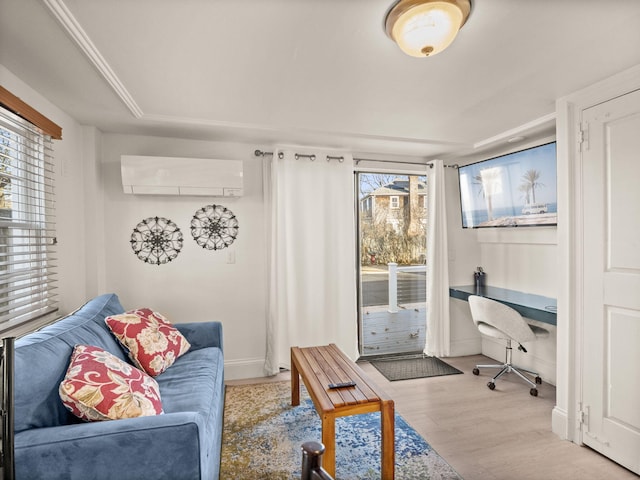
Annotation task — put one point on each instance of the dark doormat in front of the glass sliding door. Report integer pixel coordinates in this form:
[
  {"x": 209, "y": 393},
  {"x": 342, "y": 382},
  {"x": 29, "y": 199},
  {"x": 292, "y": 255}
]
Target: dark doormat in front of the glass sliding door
[{"x": 415, "y": 366}]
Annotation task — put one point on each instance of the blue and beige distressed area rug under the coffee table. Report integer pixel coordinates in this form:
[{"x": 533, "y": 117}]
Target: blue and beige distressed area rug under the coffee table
[{"x": 263, "y": 434}]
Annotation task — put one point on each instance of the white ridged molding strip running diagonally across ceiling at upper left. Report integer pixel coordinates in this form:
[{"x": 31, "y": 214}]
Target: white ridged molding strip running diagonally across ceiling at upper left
[{"x": 64, "y": 16}]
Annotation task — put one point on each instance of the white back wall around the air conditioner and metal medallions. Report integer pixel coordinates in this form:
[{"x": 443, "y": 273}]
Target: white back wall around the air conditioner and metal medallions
[{"x": 199, "y": 285}]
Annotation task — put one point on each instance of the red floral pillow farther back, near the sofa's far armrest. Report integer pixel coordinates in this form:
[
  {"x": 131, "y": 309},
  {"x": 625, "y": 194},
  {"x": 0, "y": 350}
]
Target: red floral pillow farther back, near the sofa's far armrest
[{"x": 152, "y": 342}]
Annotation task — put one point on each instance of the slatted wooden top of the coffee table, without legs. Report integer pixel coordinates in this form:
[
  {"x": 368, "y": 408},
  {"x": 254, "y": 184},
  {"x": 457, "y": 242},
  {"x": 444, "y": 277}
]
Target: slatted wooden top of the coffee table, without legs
[{"x": 319, "y": 366}]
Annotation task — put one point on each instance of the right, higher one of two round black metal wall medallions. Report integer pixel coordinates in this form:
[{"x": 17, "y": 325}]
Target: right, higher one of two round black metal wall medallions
[{"x": 214, "y": 227}]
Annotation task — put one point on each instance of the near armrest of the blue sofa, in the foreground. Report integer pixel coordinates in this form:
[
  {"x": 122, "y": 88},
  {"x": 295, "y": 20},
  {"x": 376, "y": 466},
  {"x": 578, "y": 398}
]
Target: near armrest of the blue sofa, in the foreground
[{"x": 160, "y": 447}]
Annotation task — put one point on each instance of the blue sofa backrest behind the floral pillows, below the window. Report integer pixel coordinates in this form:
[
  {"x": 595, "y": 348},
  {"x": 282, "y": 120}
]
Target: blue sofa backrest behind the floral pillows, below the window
[{"x": 42, "y": 358}]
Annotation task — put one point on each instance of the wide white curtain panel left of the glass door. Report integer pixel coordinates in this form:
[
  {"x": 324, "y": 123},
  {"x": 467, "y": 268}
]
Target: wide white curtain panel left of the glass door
[{"x": 312, "y": 291}]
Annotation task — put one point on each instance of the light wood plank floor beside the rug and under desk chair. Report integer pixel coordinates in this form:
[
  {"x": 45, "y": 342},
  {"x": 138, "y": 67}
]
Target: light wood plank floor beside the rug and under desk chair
[{"x": 502, "y": 434}]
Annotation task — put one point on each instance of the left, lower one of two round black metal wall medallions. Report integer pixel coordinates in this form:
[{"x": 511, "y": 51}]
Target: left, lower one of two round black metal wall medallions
[{"x": 156, "y": 240}]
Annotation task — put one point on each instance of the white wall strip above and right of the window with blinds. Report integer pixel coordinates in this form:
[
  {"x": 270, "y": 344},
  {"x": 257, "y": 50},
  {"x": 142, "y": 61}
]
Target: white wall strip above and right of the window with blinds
[{"x": 69, "y": 164}]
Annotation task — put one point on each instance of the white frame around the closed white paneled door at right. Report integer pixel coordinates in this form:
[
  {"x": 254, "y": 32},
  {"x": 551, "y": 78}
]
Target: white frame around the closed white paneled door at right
[{"x": 570, "y": 349}]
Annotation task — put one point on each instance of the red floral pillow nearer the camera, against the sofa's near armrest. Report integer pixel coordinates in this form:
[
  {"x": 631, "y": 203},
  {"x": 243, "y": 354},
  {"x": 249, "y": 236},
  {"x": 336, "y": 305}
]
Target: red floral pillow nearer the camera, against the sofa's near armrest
[{"x": 100, "y": 386}]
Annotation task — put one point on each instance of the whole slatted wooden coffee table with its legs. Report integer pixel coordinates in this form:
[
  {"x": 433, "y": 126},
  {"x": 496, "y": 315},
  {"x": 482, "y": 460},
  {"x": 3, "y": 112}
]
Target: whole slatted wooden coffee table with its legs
[{"x": 321, "y": 366}]
